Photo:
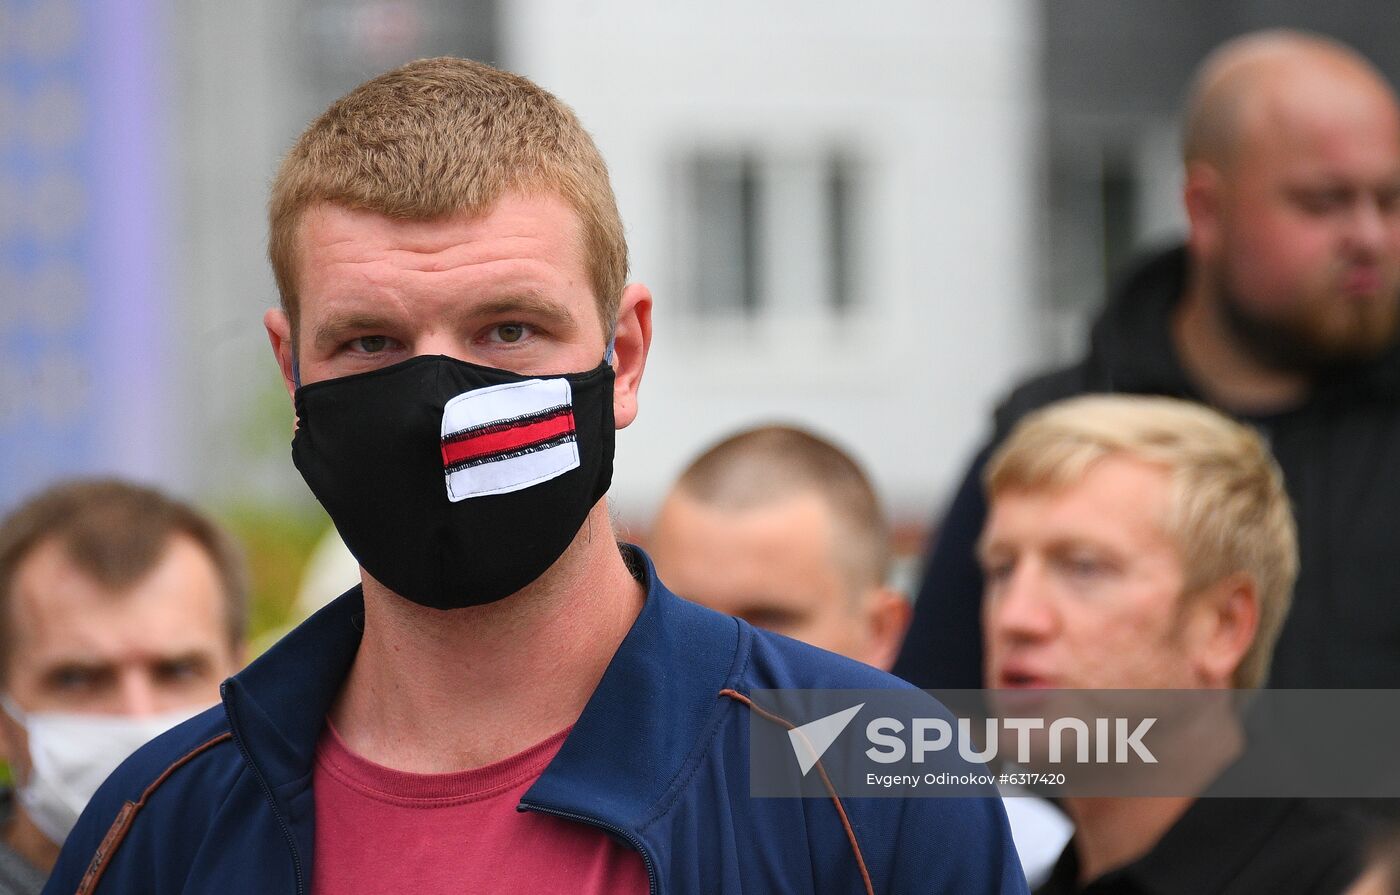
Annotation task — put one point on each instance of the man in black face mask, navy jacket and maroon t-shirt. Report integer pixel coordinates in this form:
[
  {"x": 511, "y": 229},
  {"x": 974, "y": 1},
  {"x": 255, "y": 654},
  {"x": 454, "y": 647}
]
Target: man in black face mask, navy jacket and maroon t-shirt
[{"x": 509, "y": 702}]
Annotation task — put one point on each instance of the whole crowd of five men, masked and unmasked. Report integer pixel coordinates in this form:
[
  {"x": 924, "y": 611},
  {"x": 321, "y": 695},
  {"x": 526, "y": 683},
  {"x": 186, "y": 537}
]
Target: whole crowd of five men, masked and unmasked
[{"x": 514, "y": 702}]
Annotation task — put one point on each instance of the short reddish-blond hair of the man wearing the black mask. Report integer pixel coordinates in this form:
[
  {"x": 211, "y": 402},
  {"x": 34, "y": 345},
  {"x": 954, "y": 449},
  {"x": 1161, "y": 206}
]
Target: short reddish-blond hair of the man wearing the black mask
[{"x": 440, "y": 138}]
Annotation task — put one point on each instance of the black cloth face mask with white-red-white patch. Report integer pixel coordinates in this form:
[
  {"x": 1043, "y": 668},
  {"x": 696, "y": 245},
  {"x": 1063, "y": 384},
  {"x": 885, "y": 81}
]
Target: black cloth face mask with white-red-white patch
[{"x": 457, "y": 485}]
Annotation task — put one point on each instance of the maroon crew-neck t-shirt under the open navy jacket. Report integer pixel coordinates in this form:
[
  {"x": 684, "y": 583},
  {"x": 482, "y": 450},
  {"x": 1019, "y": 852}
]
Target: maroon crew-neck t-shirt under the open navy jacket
[{"x": 390, "y": 831}]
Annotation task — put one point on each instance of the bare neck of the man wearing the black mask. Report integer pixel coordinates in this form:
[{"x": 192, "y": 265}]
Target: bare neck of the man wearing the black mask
[{"x": 435, "y": 691}]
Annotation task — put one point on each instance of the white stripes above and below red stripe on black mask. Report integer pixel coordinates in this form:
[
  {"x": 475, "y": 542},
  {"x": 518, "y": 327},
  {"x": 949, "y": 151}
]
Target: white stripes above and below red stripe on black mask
[{"x": 503, "y": 403}]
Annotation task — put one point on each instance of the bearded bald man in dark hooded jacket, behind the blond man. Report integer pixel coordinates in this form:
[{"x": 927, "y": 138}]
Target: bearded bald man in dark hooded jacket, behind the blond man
[{"x": 1280, "y": 310}]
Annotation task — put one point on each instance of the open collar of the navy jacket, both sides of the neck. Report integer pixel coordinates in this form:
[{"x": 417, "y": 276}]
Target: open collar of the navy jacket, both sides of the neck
[{"x": 643, "y": 726}]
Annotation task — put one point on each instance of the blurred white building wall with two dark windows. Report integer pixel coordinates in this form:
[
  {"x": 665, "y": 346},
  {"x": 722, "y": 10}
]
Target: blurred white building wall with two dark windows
[{"x": 835, "y": 207}]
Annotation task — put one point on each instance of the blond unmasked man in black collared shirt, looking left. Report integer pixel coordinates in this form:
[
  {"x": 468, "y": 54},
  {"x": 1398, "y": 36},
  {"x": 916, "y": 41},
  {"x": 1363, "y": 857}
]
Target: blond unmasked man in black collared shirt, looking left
[{"x": 1147, "y": 544}]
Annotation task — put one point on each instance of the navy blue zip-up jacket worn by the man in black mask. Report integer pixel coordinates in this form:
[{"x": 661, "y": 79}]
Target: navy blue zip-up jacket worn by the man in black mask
[{"x": 660, "y": 758}]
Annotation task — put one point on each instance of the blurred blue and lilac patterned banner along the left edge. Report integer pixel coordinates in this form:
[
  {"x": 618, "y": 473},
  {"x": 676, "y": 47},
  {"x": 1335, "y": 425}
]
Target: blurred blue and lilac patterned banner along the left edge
[{"x": 83, "y": 293}]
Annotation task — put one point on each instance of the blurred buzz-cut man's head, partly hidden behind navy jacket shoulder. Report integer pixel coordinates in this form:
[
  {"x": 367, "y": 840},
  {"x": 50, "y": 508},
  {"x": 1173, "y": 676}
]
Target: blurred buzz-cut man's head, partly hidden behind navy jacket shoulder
[{"x": 783, "y": 530}]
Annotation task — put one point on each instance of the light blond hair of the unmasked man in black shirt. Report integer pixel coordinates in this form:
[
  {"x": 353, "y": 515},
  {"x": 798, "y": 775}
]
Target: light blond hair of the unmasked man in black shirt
[{"x": 1228, "y": 509}]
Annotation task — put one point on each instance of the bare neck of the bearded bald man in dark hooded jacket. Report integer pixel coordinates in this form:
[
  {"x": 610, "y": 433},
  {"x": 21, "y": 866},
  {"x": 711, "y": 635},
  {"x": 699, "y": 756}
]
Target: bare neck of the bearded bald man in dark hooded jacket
[{"x": 1226, "y": 373}]
